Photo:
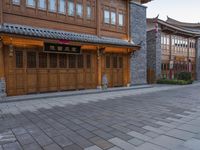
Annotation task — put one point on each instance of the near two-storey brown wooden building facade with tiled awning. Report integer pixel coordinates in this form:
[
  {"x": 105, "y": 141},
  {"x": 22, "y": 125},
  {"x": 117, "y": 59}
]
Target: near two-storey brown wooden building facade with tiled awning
[{"x": 60, "y": 45}]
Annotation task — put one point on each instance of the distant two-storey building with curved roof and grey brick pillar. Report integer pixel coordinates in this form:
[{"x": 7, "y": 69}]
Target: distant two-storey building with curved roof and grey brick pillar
[{"x": 172, "y": 47}]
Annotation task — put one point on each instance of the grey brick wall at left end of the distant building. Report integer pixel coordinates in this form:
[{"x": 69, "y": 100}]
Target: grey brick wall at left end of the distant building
[{"x": 154, "y": 52}]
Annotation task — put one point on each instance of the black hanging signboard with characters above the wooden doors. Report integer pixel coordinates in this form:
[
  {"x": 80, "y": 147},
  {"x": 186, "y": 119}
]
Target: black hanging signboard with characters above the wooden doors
[{"x": 61, "y": 48}]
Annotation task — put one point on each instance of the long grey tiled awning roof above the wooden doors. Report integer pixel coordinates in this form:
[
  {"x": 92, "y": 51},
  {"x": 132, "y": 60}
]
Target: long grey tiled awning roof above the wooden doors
[{"x": 61, "y": 35}]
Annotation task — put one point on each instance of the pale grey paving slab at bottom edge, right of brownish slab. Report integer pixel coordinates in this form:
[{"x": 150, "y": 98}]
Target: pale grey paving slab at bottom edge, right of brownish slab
[{"x": 122, "y": 144}]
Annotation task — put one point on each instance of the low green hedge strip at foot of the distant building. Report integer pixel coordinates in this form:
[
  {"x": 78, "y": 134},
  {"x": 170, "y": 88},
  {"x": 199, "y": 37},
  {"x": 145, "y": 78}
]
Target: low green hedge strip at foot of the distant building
[{"x": 174, "y": 82}]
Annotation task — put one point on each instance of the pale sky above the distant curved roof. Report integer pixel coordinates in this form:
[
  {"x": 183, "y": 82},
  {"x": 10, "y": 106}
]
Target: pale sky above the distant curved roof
[{"x": 182, "y": 10}]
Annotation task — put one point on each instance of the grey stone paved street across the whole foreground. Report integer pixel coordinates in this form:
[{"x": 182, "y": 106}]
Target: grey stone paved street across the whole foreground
[{"x": 158, "y": 118}]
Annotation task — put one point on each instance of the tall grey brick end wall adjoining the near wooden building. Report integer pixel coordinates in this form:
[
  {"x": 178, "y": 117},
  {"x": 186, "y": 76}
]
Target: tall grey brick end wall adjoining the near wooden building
[{"x": 138, "y": 36}]
